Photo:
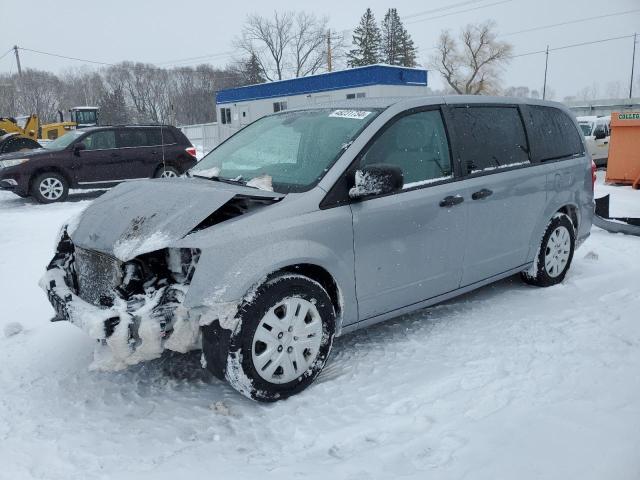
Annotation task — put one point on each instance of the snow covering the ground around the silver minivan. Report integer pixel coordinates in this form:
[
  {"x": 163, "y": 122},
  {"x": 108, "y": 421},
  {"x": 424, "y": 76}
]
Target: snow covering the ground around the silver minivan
[{"x": 507, "y": 382}]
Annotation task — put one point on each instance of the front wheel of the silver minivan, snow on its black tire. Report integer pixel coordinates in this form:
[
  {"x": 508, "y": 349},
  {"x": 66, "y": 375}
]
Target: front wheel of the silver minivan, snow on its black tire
[{"x": 274, "y": 351}]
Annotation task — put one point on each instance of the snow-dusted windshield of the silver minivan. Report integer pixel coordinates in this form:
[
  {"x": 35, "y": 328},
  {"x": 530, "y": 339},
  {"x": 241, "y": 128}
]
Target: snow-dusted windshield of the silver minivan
[{"x": 288, "y": 152}]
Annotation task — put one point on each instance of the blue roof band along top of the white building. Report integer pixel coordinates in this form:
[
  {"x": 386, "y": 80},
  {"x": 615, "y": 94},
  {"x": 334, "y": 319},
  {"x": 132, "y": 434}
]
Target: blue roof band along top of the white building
[{"x": 352, "y": 78}]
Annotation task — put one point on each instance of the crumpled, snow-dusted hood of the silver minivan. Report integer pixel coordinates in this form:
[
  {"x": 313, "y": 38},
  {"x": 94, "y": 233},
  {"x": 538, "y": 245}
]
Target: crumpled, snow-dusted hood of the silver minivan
[{"x": 143, "y": 216}]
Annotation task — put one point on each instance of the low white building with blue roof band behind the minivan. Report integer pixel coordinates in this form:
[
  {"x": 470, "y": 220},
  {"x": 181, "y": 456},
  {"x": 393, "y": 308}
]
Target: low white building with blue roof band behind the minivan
[{"x": 237, "y": 107}]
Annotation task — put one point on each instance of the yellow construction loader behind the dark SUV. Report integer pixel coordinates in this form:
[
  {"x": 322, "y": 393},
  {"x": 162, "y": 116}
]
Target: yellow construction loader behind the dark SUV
[{"x": 16, "y": 133}]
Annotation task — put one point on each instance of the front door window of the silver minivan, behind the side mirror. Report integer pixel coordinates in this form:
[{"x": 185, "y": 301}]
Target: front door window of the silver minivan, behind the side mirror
[{"x": 417, "y": 144}]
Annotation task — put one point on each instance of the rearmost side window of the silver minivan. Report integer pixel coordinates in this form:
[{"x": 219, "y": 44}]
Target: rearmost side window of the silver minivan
[{"x": 553, "y": 133}]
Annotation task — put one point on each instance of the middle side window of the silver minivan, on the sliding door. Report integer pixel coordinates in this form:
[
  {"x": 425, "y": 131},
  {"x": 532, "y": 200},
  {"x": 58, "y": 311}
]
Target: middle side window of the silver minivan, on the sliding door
[{"x": 490, "y": 137}]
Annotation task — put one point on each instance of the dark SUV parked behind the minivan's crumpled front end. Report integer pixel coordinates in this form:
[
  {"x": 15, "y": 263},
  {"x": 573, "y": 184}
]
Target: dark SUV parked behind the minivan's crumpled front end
[{"x": 96, "y": 157}]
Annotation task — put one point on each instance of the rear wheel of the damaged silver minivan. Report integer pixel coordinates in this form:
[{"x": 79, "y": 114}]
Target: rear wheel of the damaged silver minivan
[{"x": 555, "y": 253}]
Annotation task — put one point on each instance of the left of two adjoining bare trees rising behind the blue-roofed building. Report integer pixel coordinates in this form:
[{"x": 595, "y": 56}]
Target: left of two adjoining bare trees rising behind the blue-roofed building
[{"x": 268, "y": 39}]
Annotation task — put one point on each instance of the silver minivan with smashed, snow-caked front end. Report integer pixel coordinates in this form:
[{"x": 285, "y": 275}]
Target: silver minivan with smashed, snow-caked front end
[{"x": 316, "y": 222}]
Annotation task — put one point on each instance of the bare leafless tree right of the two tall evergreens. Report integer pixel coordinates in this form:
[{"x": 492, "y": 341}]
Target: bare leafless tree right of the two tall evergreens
[{"x": 474, "y": 67}]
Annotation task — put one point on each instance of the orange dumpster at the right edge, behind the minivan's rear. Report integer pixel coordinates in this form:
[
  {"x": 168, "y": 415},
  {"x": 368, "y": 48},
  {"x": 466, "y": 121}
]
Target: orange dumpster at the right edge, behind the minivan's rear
[{"x": 623, "y": 165}]
